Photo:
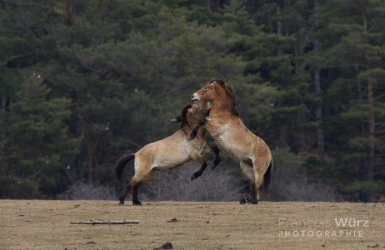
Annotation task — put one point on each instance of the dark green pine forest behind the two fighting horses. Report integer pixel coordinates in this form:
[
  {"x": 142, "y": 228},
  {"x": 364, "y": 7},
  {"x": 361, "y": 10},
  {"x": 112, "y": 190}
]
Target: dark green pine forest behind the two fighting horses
[{"x": 82, "y": 82}]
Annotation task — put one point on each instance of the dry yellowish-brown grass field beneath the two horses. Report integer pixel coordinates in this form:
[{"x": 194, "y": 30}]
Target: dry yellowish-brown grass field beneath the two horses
[{"x": 36, "y": 224}]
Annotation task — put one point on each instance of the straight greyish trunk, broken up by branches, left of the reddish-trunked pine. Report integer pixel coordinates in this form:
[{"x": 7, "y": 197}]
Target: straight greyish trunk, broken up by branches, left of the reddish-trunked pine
[{"x": 317, "y": 89}]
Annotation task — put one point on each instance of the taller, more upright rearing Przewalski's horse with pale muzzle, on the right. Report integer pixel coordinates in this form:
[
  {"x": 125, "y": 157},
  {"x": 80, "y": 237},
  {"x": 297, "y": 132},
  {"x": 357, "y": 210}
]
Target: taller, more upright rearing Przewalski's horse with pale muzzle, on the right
[{"x": 233, "y": 137}]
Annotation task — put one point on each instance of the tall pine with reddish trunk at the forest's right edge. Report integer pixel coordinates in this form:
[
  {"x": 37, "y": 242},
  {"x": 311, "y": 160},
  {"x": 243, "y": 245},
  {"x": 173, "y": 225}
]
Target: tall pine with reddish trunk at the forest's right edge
[{"x": 358, "y": 49}]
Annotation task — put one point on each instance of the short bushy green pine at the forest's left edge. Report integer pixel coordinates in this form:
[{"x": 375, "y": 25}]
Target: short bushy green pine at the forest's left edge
[{"x": 36, "y": 150}]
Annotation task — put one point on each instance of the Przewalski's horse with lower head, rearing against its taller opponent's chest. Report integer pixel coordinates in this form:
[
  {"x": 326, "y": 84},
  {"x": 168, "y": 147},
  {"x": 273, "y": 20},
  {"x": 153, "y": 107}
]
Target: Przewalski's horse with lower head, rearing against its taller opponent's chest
[{"x": 168, "y": 153}]
